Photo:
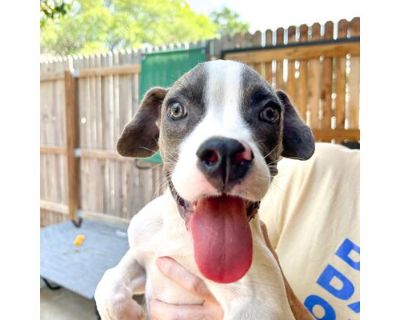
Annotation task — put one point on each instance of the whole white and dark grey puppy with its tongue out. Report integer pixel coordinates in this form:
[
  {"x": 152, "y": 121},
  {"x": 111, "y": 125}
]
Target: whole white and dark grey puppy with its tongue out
[{"x": 221, "y": 130}]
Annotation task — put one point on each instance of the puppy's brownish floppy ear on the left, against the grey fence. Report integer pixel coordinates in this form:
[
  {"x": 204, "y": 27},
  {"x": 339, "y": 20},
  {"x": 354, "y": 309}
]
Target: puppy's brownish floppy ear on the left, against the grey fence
[{"x": 139, "y": 138}]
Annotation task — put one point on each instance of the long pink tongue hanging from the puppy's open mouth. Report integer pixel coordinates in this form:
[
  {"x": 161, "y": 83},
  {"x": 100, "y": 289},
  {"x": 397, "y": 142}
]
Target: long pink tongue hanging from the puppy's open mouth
[{"x": 223, "y": 245}]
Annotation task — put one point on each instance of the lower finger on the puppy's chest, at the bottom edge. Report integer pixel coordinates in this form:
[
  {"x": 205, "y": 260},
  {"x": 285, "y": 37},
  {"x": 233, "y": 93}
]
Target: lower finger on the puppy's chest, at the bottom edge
[{"x": 164, "y": 311}]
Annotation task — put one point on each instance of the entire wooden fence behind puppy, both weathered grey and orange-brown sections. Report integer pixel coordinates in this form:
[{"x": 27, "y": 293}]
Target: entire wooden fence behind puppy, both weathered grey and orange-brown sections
[{"x": 86, "y": 101}]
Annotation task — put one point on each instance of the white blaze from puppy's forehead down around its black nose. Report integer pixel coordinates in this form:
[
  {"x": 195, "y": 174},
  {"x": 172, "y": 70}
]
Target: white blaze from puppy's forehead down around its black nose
[{"x": 223, "y": 100}]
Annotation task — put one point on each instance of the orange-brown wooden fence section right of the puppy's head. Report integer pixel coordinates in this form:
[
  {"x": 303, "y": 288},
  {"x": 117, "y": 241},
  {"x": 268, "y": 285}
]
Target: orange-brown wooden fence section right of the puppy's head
[{"x": 320, "y": 72}]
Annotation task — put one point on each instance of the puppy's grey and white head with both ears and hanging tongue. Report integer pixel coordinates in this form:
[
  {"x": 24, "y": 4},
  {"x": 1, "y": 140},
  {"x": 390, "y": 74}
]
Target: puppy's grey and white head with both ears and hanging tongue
[{"x": 221, "y": 130}]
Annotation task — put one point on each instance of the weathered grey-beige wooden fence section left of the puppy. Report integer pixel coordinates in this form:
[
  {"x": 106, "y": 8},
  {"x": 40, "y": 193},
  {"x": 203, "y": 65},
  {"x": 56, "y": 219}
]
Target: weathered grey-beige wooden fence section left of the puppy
[{"x": 82, "y": 116}]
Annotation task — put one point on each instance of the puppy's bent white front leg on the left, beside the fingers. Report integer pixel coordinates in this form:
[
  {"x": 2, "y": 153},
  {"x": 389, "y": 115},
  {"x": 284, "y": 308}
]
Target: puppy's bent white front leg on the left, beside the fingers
[{"x": 115, "y": 290}]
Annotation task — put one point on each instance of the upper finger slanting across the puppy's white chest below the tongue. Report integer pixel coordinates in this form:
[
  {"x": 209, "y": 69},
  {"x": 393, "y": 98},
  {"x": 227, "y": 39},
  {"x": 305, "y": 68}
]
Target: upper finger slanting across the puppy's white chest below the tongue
[{"x": 184, "y": 278}]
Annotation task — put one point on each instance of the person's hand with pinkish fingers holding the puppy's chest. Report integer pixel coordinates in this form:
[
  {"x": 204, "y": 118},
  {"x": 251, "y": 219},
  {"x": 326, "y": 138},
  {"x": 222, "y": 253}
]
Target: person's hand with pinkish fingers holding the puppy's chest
[{"x": 210, "y": 309}]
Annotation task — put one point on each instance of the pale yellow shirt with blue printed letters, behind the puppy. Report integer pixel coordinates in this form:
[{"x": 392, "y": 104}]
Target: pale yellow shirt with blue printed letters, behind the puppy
[{"x": 312, "y": 216}]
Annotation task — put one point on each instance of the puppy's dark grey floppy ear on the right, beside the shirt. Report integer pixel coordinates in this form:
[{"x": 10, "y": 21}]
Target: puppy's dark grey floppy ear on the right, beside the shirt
[{"x": 298, "y": 140}]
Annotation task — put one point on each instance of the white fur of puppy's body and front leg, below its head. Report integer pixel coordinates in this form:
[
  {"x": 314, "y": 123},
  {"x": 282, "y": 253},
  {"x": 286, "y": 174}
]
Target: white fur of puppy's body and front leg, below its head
[{"x": 158, "y": 230}]
